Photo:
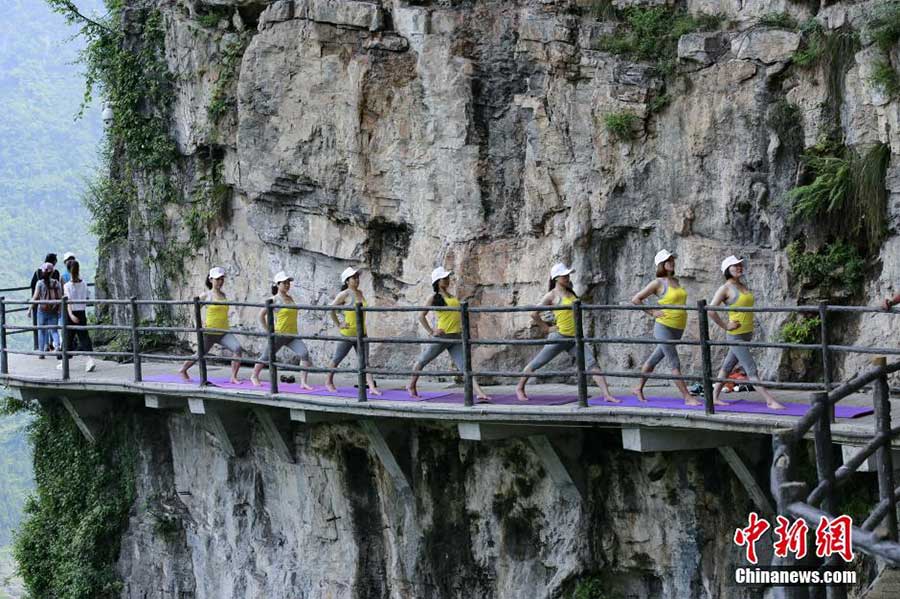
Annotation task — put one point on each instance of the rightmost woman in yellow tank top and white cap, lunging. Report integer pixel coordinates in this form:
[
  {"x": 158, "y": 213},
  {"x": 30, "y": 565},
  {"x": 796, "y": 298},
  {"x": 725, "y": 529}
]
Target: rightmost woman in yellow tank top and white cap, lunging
[{"x": 738, "y": 327}]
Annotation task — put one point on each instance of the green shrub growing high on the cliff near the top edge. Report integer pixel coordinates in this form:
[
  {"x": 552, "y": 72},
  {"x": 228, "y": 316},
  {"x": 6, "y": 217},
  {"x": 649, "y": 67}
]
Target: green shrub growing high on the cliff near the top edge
[{"x": 651, "y": 34}]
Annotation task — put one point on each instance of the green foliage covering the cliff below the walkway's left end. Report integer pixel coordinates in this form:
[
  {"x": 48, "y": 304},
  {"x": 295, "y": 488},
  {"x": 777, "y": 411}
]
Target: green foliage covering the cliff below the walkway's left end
[{"x": 69, "y": 542}]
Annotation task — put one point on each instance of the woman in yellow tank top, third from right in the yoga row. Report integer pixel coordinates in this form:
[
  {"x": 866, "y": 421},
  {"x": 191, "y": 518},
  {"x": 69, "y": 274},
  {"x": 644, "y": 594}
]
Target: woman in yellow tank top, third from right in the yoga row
[{"x": 561, "y": 340}]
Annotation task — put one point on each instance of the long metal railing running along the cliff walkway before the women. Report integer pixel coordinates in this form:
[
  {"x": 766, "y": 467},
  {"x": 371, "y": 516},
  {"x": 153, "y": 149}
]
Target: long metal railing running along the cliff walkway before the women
[{"x": 582, "y": 342}]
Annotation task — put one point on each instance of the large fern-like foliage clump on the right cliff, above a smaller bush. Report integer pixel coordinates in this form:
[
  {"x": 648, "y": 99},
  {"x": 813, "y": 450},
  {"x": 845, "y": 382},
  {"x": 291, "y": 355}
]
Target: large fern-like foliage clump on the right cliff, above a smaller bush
[{"x": 847, "y": 195}]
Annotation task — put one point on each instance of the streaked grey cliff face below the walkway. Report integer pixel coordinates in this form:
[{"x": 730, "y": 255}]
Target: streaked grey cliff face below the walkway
[{"x": 483, "y": 520}]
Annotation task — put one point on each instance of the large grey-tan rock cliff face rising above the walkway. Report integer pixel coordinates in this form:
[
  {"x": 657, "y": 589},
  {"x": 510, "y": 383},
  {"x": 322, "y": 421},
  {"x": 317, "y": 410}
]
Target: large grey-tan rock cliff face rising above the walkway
[{"x": 401, "y": 135}]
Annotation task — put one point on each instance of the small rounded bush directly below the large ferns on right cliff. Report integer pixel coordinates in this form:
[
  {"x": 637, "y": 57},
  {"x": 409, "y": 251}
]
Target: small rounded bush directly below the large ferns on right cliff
[{"x": 836, "y": 266}]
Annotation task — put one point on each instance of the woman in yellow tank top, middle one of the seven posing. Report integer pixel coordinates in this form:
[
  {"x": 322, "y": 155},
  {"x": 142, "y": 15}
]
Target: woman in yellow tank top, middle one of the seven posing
[{"x": 449, "y": 327}]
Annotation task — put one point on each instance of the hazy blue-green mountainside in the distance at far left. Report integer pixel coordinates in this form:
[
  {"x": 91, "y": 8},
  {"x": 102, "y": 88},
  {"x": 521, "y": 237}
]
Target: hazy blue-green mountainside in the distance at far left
[{"x": 46, "y": 158}]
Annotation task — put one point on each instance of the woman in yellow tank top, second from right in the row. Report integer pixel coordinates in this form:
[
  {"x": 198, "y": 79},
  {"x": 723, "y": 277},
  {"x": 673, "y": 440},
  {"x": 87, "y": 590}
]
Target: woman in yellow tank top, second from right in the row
[{"x": 669, "y": 325}]
